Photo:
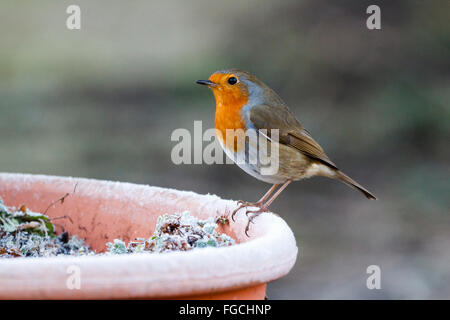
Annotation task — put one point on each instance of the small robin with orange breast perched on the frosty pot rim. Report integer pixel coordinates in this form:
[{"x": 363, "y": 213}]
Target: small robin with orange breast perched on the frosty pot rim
[{"x": 243, "y": 102}]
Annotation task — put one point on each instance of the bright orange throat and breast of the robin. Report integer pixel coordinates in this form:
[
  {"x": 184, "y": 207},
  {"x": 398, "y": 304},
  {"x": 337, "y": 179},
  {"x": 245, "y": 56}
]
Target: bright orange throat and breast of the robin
[{"x": 228, "y": 115}]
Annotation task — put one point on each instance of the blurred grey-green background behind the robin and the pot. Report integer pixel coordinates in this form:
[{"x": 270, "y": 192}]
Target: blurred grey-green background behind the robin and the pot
[{"x": 103, "y": 101}]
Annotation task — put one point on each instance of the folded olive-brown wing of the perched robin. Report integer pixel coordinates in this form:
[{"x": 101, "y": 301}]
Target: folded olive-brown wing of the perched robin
[{"x": 291, "y": 132}]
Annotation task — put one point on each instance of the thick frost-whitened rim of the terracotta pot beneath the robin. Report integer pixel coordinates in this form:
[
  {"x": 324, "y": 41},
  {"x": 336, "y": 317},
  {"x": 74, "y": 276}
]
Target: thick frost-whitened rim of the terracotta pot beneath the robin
[{"x": 268, "y": 254}]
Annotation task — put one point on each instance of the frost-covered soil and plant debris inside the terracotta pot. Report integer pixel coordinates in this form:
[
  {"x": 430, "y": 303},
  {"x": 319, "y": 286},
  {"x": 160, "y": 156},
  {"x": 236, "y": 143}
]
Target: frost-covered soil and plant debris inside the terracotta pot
[{"x": 24, "y": 233}]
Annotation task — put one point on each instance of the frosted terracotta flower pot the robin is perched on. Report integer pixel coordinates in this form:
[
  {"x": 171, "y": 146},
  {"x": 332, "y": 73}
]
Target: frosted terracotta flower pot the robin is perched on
[{"x": 101, "y": 211}]
